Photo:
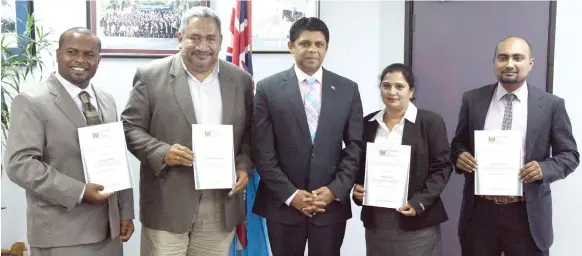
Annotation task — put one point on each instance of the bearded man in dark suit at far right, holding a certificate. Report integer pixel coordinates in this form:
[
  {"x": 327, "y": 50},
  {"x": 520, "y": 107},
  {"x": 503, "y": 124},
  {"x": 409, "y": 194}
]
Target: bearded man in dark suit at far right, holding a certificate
[{"x": 517, "y": 226}]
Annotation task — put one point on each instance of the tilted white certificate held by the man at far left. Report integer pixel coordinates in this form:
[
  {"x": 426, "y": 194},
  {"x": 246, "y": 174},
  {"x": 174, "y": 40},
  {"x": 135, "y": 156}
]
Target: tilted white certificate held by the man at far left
[{"x": 104, "y": 155}]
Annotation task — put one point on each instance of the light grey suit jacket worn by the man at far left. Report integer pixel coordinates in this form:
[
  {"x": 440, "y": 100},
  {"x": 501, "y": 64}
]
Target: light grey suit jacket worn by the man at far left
[{"x": 43, "y": 157}]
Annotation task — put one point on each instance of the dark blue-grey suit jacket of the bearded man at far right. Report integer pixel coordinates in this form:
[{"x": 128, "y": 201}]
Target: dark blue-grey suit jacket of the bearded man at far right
[{"x": 549, "y": 141}]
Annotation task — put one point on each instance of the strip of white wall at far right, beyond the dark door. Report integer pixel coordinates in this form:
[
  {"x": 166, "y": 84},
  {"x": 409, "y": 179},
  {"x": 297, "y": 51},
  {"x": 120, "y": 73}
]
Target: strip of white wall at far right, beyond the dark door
[{"x": 567, "y": 203}]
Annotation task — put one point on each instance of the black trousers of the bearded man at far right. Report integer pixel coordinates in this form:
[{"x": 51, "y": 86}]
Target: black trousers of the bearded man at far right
[{"x": 495, "y": 228}]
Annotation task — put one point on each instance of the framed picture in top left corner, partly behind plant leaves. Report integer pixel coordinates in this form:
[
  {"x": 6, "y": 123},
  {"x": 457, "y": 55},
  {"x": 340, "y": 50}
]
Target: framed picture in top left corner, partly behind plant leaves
[{"x": 15, "y": 15}]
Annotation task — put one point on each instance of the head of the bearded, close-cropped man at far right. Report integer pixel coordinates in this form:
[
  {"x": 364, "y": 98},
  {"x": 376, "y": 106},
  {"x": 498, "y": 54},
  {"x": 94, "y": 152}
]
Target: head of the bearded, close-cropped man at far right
[{"x": 513, "y": 61}]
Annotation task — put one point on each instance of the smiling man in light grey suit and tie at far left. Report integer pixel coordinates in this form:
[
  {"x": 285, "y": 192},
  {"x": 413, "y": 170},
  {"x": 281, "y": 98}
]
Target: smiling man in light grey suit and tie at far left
[{"x": 66, "y": 216}]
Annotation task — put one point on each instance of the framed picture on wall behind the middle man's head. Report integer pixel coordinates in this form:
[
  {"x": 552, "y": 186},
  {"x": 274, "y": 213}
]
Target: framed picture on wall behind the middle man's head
[{"x": 272, "y": 19}]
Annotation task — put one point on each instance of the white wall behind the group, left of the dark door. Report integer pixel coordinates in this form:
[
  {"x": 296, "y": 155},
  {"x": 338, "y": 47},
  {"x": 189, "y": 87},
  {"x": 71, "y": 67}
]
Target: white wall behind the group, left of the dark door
[{"x": 359, "y": 49}]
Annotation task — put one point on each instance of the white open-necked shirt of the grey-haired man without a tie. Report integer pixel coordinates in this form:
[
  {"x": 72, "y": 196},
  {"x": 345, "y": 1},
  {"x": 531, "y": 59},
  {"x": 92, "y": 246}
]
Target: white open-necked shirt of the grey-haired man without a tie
[{"x": 206, "y": 97}]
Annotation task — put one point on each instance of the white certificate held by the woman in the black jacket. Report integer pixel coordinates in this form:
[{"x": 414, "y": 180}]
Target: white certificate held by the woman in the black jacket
[{"x": 387, "y": 174}]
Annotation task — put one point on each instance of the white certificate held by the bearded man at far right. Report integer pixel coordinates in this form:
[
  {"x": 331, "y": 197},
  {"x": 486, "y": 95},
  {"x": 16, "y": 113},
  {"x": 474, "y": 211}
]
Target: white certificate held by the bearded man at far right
[{"x": 499, "y": 160}]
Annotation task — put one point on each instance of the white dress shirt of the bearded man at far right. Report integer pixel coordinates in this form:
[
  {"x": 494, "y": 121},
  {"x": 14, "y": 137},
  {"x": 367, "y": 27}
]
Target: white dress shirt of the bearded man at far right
[{"x": 494, "y": 119}]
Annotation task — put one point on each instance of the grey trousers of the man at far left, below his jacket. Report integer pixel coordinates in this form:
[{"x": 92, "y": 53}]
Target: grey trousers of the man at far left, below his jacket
[{"x": 106, "y": 247}]
